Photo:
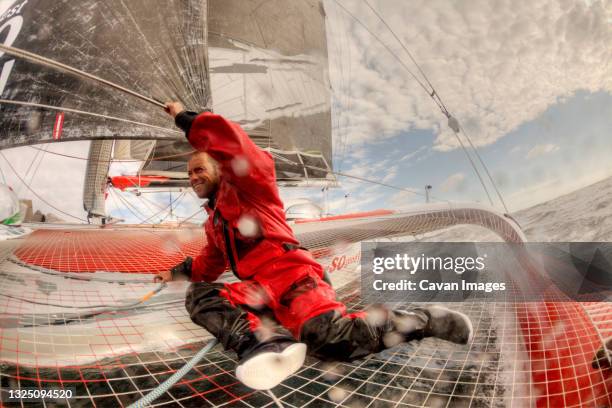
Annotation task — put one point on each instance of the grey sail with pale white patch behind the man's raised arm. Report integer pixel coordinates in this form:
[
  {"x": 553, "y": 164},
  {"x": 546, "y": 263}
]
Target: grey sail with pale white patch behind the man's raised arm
[{"x": 269, "y": 73}]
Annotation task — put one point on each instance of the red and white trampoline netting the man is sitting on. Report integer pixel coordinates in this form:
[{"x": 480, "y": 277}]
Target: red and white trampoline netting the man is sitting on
[{"x": 70, "y": 320}]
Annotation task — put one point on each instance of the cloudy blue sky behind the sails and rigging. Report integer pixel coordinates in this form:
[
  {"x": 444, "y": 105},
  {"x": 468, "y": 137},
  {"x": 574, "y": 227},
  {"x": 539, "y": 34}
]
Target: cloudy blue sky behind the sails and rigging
[{"x": 530, "y": 82}]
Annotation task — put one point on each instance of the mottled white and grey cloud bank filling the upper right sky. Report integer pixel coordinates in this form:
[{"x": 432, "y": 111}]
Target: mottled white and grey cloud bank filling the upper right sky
[{"x": 495, "y": 64}]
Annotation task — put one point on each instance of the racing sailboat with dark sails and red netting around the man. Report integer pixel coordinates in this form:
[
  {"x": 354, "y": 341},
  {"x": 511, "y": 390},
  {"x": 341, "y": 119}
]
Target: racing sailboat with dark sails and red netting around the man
[{"x": 79, "y": 310}]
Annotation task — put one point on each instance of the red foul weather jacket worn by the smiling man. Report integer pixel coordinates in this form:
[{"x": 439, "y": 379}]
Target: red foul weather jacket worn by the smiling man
[{"x": 246, "y": 227}]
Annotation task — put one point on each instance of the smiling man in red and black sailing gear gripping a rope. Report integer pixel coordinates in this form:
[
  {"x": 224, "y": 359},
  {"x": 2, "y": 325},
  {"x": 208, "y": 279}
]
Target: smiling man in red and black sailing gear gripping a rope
[{"x": 282, "y": 297}]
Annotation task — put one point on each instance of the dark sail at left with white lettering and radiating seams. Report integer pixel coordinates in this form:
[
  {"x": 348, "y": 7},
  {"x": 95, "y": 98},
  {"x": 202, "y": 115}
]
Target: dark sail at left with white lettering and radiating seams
[{"x": 154, "y": 48}]
